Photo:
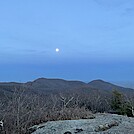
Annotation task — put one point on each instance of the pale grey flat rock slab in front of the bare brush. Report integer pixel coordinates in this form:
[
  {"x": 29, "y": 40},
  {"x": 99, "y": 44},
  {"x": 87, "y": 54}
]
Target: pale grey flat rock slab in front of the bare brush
[{"x": 101, "y": 124}]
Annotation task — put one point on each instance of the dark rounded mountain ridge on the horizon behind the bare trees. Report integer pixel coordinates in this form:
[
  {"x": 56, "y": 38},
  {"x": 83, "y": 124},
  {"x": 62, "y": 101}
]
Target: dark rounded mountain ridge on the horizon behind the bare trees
[{"x": 47, "y": 85}]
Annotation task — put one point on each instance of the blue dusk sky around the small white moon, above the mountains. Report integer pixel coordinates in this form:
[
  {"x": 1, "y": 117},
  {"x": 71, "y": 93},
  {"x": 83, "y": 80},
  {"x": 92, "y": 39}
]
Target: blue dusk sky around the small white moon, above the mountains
[{"x": 94, "y": 37}]
